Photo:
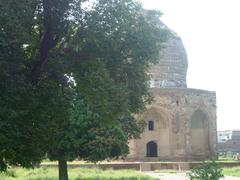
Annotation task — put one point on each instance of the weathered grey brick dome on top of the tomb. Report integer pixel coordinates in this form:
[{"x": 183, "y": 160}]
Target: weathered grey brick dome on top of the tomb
[{"x": 171, "y": 70}]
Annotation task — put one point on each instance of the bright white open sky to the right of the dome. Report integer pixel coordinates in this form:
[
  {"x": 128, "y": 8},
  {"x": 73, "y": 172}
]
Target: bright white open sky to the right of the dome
[{"x": 210, "y": 31}]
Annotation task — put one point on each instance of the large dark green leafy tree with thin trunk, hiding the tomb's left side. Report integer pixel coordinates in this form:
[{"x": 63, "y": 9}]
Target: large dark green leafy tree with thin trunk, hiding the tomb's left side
[{"x": 72, "y": 79}]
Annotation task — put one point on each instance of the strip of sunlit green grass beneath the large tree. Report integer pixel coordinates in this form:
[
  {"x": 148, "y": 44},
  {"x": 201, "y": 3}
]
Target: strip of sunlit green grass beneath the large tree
[{"x": 74, "y": 174}]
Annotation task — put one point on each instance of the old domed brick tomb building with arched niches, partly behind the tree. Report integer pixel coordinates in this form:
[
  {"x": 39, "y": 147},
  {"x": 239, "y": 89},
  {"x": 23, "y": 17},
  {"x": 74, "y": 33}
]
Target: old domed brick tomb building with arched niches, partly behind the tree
[{"x": 181, "y": 122}]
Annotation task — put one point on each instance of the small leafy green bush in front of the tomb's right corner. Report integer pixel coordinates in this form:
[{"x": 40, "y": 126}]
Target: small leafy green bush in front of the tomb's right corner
[{"x": 207, "y": 171}]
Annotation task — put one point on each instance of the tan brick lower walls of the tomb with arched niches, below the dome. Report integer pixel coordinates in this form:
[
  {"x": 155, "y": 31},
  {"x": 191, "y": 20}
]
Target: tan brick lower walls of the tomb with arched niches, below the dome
[{"x": 176, "y": 135}]
